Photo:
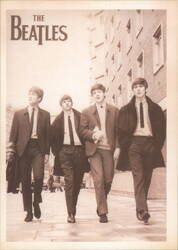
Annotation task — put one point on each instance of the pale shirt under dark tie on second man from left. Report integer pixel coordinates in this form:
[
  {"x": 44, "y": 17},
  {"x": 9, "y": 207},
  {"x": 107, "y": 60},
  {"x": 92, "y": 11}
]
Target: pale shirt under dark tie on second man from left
[{"x": 66, "y": 129}]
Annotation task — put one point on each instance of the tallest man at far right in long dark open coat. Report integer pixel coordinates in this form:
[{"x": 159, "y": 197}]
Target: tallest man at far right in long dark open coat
[{"x": 142, "y": 131}]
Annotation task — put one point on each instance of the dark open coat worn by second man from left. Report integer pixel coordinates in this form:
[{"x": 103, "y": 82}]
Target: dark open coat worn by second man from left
[{"x": 57, "y": 139}]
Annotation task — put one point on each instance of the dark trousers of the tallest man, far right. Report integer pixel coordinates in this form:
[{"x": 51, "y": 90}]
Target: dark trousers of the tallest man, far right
[{"x": 142, "y": 153}]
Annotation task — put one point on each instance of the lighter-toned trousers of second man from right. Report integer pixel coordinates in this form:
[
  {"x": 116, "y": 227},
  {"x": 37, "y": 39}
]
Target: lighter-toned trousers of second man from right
[{"x": 102, "y": 171}]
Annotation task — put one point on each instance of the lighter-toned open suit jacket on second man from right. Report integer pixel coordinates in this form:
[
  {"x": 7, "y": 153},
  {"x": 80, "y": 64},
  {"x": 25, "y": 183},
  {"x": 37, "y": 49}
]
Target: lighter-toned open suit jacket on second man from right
[{"x": 90, "y": 119}]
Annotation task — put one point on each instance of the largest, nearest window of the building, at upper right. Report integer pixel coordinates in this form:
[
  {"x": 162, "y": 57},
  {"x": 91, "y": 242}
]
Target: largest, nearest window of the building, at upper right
[{"x": 158, "y": 53}]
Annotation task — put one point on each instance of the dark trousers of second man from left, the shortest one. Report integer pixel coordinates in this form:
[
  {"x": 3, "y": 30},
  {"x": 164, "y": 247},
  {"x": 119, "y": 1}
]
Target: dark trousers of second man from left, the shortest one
[{"x": 72, "y": 160}]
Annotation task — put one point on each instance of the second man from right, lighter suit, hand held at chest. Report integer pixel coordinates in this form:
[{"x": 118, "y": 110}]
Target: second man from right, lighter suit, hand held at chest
[{"x": 98, "y": 128}]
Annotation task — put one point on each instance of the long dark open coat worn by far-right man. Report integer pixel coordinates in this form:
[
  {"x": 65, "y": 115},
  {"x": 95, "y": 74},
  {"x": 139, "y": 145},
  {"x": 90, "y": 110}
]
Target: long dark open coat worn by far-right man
[{"x": 127, "y": 122}]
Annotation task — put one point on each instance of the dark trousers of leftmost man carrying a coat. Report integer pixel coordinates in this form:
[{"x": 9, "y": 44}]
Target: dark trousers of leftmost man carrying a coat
[{"x": 31, "y": 160}]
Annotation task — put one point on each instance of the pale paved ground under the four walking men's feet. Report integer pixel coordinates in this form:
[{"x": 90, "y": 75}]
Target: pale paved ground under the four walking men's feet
[{"x": 53, "y": 226}]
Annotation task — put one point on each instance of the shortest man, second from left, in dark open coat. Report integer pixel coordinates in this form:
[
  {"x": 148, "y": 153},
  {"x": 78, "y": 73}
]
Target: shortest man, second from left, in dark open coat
[{"x": 68, "y": 149}]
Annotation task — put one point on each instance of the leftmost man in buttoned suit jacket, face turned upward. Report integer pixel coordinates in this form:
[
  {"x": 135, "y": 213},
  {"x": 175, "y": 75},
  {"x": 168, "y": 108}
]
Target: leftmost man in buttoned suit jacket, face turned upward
[{"x": 30, "y": 137}]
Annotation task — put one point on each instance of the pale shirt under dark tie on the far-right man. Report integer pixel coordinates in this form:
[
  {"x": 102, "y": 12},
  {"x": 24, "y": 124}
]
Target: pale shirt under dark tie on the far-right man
[{"x": 146, "y": 130}]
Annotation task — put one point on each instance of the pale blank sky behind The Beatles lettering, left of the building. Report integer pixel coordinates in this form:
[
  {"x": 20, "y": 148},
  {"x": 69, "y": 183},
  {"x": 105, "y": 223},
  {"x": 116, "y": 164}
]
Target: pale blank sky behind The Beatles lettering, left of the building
[{"x": 59, "y": 67}]
